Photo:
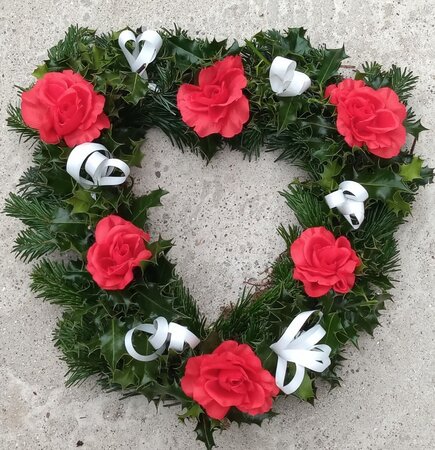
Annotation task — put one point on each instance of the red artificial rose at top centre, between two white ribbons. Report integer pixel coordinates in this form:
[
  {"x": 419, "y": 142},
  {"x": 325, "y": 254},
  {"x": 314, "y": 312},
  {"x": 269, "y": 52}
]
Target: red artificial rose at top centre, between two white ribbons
[{"x": 217, "y": 104}]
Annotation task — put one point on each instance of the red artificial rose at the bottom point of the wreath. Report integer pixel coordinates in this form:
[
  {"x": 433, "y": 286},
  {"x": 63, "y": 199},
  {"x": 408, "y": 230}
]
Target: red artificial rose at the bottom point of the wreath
[{"x": 230, "y": 376}]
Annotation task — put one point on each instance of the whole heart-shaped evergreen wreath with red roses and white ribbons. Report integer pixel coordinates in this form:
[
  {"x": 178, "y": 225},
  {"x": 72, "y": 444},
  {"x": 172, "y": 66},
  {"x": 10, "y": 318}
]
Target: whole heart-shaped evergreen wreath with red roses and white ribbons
[{"x": 128, "y": 319}]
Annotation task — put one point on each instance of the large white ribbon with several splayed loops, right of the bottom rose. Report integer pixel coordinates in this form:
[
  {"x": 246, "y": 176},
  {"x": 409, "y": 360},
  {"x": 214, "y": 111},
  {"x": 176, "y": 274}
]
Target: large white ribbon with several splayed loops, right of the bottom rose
[{"x": 301, "y": 348}]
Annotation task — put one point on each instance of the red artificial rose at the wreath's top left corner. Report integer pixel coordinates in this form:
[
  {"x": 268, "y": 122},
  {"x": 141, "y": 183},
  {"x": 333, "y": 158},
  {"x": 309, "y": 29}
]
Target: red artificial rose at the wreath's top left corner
[{"x": 63, "y": 105}]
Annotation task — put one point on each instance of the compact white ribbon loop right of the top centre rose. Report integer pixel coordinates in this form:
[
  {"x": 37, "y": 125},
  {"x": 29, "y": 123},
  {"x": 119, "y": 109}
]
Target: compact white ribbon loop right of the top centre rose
[{"x": 285, "y": 80}]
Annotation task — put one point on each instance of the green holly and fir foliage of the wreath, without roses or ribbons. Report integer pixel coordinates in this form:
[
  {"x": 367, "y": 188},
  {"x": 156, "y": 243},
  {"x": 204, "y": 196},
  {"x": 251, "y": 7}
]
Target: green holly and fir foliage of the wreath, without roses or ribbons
[{"x": 60, "y": 215}]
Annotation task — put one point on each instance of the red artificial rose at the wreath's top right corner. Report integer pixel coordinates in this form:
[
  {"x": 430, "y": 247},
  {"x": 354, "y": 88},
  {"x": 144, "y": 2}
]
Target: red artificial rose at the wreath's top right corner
[{"x": 368, "y": 116}]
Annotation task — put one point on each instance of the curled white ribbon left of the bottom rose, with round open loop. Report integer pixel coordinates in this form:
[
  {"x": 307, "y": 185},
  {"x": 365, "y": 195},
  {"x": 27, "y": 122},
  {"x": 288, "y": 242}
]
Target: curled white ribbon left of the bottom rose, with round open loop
[{"x": 163, "y": 335}]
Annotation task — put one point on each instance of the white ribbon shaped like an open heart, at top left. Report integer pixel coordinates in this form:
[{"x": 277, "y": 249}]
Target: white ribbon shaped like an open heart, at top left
[{"x": 142, "y": 55}]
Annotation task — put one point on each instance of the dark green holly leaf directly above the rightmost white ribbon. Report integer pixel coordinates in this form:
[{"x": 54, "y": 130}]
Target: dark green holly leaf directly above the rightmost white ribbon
[{"x": 382, "y": 184}]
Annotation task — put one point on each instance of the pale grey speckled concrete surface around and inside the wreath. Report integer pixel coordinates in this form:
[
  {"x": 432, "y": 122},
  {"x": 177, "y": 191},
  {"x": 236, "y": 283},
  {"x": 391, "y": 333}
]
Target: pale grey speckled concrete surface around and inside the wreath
[{"x": 223, "y": 218}]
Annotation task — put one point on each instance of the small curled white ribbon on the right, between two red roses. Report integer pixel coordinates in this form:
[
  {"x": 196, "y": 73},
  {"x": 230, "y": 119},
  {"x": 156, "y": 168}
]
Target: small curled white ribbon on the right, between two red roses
[{"x": 349, "y": 200}]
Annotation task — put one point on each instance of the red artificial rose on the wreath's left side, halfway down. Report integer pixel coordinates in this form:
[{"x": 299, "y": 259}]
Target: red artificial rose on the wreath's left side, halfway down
[{"x": 119, "y": 248}]
